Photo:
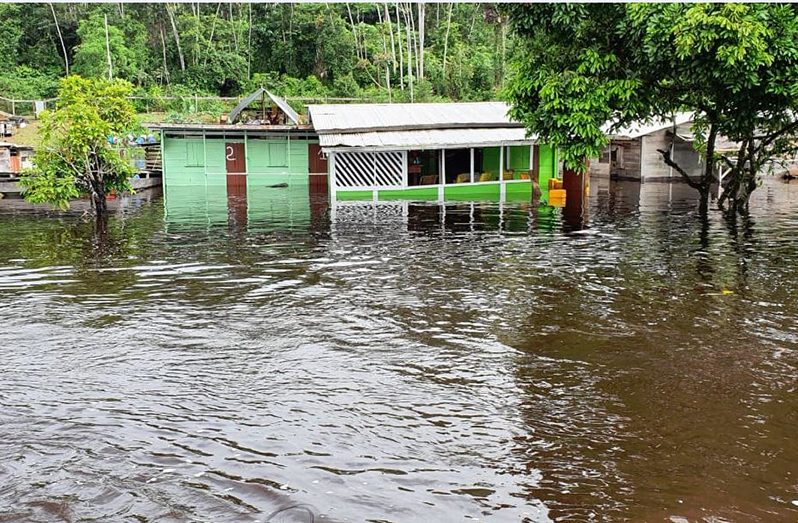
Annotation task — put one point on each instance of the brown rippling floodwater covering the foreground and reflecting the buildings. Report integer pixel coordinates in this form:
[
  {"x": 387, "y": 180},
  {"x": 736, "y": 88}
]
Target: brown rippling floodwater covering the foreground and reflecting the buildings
[{"x": 401, "y": 362}]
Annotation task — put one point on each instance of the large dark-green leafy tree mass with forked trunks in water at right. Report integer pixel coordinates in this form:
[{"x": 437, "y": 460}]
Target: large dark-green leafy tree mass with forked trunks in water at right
[{"x": 733, "y": 65}]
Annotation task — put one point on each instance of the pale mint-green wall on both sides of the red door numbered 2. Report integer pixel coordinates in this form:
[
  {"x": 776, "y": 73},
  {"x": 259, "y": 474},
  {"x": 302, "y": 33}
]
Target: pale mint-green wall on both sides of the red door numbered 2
[{"x": 194, "y": 161}]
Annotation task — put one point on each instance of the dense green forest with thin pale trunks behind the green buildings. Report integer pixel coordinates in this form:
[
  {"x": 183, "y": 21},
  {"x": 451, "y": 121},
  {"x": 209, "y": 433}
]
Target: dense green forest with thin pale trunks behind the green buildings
[{"x": 380, "y": 52}]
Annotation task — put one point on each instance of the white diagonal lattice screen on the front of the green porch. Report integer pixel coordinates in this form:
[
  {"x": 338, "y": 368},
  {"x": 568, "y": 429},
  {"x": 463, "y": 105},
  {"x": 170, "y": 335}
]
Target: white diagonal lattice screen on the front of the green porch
[{"x": 368, "y": 170}]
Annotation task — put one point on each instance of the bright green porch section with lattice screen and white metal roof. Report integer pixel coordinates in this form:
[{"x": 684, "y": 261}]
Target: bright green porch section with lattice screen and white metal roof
[{"x": 429, "y": 151}]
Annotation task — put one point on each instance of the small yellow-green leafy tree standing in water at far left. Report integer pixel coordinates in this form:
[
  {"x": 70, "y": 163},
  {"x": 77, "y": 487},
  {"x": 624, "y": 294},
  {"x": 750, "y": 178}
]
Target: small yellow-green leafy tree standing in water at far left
[{"x": 76, "y": 156}]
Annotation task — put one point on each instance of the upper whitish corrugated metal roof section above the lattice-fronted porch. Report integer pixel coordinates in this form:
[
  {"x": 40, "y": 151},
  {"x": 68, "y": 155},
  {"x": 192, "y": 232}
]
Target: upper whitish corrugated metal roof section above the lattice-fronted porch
[{"x": 343, "y": 118}]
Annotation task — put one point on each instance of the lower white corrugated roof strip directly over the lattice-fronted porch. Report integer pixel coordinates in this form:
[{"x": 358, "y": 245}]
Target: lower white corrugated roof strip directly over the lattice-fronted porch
[{"x": 429, "y": 139}]
